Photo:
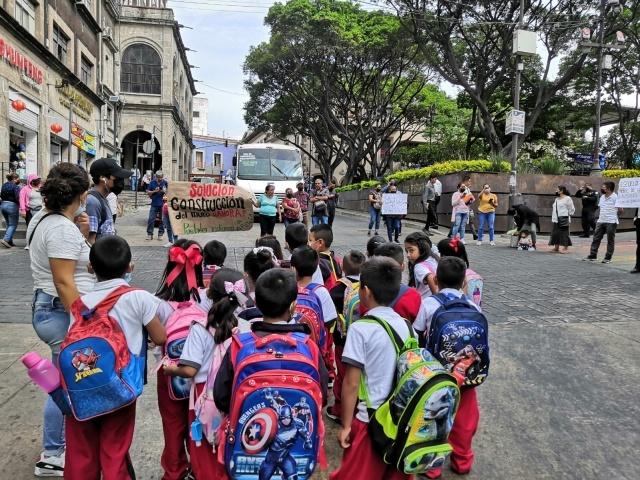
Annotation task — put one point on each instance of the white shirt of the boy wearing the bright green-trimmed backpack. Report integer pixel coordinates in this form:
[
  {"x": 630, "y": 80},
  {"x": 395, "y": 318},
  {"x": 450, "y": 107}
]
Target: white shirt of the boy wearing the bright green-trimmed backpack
[{"x": 369, "y": 348}]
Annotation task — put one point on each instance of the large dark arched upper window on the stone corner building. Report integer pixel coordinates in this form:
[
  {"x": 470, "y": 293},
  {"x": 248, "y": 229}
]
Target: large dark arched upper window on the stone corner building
[{"x": 141, "y": 70}]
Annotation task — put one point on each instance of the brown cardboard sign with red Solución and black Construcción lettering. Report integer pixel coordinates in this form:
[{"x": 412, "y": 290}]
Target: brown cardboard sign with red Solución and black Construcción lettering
[{"x": 208, "y": 208}]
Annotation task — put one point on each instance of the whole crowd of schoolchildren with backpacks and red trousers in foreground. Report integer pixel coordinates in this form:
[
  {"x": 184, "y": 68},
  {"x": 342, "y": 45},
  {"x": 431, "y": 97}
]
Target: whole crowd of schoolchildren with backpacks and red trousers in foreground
[{"x": 245, "y": 359}]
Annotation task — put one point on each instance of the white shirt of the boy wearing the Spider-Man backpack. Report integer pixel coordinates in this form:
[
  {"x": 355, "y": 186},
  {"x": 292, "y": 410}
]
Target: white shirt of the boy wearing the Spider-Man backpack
[{"x": 132, "y": 311}]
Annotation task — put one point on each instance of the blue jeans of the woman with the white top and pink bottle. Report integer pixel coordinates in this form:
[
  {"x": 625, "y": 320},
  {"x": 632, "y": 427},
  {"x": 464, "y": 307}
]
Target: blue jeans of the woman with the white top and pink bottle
[{"x": 51, "y": 322}]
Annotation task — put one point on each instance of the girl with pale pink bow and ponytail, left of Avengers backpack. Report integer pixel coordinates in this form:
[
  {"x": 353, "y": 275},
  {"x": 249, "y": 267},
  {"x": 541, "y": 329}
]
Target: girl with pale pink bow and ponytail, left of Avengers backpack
[{"x": 201, "y": 357}]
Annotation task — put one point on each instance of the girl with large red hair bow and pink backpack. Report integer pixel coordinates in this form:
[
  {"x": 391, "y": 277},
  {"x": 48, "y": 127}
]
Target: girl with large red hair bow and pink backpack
[{"x": 180, "y": 288}]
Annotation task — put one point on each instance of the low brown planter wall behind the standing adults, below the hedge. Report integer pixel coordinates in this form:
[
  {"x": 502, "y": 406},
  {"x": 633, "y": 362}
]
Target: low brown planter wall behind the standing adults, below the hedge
[{"x": 536, "y": 191}]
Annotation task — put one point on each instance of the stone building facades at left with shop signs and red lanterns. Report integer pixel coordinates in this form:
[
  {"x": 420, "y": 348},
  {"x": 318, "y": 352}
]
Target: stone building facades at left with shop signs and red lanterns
[{"x": 71, "y": 81}]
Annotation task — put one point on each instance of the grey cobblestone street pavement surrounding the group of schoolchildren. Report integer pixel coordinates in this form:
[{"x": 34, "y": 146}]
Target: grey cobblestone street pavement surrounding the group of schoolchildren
[{"x": 560, "y": 401}]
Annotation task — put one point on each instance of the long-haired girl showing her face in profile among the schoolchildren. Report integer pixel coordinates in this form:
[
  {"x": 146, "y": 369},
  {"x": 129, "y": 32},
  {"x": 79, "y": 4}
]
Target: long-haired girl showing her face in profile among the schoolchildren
[{"x": 422, "y": 263}]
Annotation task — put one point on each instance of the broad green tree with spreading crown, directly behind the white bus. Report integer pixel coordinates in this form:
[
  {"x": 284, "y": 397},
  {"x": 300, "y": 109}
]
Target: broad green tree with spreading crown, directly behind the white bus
[{"x": 350, "y": 80}]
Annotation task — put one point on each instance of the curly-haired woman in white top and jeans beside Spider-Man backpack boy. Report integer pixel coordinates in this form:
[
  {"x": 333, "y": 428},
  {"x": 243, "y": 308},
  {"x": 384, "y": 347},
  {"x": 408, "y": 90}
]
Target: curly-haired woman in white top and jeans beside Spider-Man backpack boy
[{"x": 59, "y": 255}]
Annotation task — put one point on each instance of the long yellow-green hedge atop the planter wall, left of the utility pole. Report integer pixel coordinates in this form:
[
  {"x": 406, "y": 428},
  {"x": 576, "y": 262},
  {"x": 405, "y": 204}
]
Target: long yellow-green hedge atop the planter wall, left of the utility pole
[{"x": 443, "y": 168}]
